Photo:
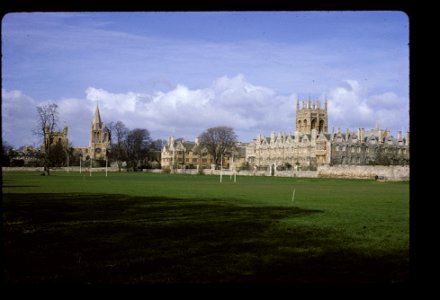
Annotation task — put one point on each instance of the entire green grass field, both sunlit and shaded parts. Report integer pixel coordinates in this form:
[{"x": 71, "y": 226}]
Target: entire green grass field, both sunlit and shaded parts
[{"x": 158, "y": 228}]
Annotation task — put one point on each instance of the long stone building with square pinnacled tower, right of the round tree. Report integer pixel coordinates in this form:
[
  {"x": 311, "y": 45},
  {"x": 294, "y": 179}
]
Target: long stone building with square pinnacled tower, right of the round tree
[{"x": 311, "y": 145}]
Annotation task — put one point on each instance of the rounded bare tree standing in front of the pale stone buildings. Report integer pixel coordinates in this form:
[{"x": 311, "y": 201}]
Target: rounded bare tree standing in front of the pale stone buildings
[{"x": 218, "y": 141}]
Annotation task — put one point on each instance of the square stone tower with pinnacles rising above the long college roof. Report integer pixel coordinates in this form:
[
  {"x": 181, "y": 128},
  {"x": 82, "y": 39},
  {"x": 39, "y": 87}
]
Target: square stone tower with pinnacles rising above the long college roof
[{"x": 311, "y": 116}]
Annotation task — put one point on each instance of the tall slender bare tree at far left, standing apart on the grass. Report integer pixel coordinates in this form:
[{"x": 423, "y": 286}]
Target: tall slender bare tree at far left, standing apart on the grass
[{"x": 46, "y": 125}]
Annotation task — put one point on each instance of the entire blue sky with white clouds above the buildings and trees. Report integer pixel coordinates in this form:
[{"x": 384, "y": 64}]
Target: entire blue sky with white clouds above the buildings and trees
[{"x": 179, "y": 73}]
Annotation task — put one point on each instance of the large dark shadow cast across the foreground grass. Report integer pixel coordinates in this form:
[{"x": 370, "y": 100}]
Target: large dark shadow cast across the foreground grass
[{"x": 88, "y": 238}]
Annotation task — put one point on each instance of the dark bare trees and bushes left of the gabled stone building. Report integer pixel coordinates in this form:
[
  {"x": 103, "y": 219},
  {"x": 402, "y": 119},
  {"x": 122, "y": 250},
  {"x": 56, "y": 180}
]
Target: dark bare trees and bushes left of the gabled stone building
[{"x": 134, "y": 147}]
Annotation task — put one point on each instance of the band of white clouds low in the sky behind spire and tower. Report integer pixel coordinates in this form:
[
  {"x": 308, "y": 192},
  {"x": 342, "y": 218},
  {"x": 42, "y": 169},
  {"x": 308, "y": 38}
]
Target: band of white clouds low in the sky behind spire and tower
[{"x": 185, "y": 112}]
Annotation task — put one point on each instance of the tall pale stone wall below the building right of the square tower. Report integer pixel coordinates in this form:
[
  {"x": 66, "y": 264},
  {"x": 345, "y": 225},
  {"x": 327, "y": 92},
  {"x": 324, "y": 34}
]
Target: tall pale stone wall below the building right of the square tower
[{"x": 394, "y": 173}]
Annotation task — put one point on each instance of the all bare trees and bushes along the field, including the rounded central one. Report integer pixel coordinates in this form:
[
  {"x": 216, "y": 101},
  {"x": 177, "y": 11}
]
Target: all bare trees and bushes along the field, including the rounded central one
[{"x": 130, "y": 148}]
